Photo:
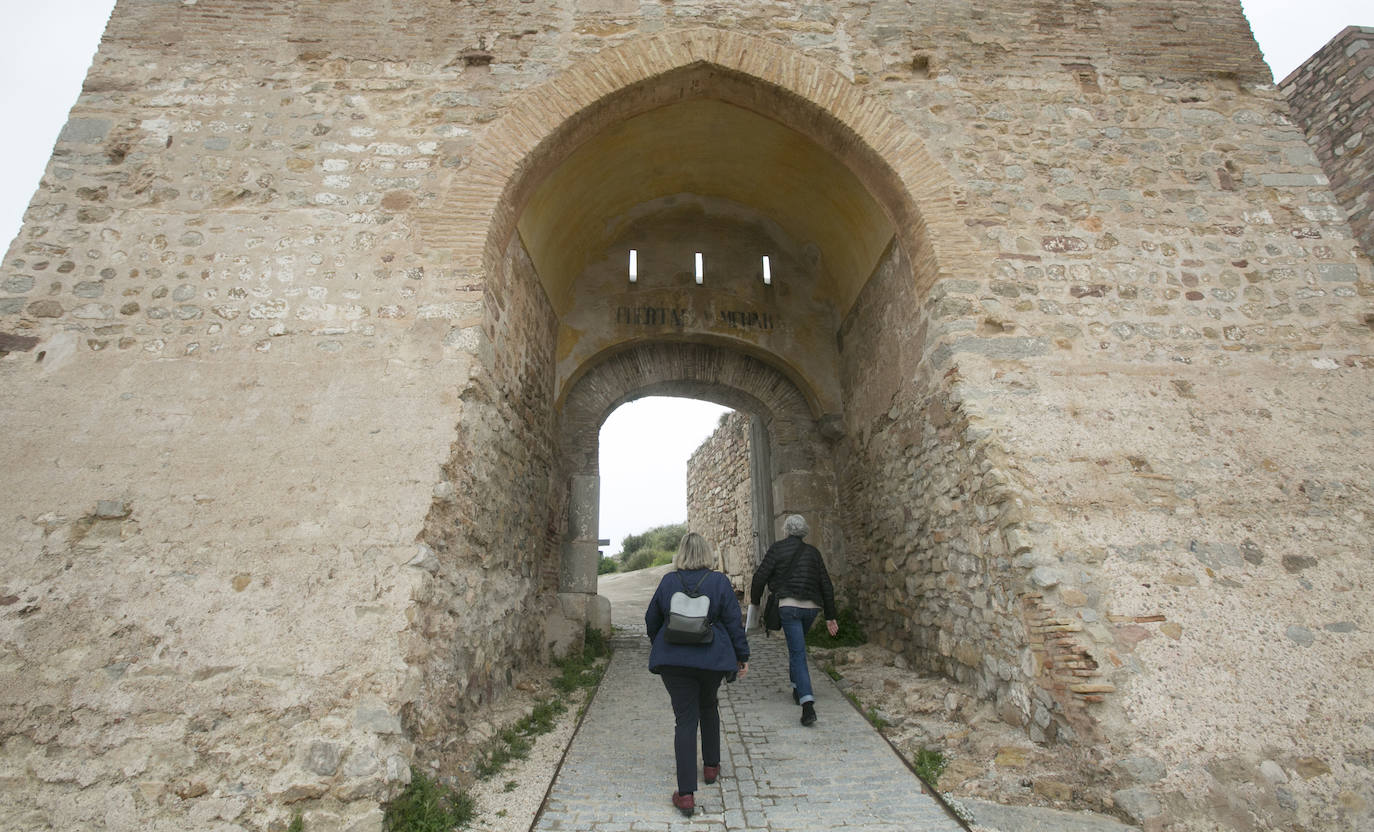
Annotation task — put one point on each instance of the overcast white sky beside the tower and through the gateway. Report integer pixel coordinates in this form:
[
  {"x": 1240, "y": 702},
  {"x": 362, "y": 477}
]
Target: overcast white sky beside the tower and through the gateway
[{"x": 46, "y": 49}]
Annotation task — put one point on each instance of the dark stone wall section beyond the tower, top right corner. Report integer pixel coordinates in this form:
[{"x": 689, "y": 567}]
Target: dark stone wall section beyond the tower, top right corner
[{"x": 1332, "y": 97}]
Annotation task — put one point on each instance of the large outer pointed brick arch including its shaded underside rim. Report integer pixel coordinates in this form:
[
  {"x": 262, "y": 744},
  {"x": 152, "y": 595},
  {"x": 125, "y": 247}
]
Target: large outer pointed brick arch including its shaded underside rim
[{"x": 480, "y": 215}]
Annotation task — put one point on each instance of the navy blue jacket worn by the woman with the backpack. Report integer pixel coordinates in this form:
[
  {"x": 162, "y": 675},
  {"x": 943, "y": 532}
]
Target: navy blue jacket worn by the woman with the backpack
[{"x": 726, "y": 650}]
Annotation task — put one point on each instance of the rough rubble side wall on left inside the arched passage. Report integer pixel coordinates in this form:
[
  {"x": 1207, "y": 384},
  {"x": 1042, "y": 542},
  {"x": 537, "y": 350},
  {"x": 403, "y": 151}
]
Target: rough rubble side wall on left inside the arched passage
[{"x": 491, "y": 581}]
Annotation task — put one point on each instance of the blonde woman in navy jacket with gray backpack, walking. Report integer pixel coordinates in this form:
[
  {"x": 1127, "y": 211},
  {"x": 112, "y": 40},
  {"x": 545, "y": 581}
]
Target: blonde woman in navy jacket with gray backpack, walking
[{"x": 692, "y": 673}]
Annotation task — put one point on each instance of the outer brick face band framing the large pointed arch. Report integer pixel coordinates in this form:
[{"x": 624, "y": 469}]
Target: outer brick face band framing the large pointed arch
[{"x": 479, "y": 216}]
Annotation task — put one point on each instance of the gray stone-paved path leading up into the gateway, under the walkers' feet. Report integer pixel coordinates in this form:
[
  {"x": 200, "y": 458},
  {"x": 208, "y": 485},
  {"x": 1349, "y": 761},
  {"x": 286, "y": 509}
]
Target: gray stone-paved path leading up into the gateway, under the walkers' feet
[{"x": 777, "y": 775}]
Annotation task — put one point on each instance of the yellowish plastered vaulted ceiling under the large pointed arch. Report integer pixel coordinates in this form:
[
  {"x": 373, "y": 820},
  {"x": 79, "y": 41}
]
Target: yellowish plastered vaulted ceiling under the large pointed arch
[{"x": 714, "y": 150}]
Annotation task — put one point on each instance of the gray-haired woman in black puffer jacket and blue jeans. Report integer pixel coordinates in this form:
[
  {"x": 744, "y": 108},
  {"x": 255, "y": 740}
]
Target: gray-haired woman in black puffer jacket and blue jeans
[{"x": 796, "y": 576}]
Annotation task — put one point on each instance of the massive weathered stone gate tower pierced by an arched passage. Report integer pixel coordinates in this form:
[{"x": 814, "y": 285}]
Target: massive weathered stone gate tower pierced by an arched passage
[{"x": 319, "y": 308}]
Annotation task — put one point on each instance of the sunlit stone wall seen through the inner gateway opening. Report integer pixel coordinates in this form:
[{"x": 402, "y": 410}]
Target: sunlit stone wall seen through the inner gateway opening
[{"x": 719, "y": 498}]
